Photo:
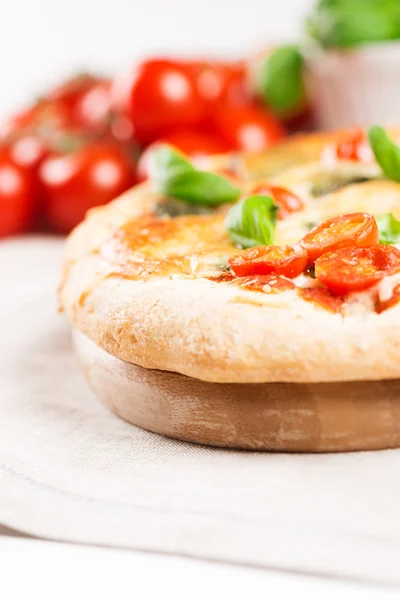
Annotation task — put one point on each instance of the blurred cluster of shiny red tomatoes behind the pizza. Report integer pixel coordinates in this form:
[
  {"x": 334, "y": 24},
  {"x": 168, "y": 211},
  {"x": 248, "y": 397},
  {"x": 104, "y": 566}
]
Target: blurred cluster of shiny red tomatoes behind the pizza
[{"x": 88, "y": 140}]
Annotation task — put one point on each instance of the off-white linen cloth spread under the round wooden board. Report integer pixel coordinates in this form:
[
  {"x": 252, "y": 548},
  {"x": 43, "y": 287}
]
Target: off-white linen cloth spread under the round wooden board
[{"x": 70, "y": 470}]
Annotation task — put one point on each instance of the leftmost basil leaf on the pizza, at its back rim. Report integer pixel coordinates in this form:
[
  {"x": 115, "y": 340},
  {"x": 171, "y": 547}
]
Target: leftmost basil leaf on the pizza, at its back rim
[{"x": 174, "y": 176}]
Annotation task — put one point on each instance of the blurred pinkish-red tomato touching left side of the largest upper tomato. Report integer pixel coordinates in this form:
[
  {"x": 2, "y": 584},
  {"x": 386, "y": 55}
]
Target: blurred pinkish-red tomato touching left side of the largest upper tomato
[{"x": 93, "y": 108}]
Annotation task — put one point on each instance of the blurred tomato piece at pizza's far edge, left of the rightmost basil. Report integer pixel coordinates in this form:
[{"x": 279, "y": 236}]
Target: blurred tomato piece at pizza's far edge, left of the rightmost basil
[{"x": 352, "y": 146}]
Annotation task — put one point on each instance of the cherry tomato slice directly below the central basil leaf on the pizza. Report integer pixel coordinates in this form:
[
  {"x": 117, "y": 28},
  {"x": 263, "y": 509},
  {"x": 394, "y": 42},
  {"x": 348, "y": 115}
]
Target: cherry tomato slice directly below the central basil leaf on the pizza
[{"x": 283, "y": 260}]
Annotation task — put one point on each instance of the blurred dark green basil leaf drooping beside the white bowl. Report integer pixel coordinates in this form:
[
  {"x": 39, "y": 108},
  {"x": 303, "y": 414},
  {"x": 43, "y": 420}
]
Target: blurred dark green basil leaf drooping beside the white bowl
[{"x": 281, "y": 83}]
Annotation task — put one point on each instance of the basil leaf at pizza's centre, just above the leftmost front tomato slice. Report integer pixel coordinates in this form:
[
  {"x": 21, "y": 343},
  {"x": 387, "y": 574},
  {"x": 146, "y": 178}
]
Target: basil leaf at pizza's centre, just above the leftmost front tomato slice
[{"x": 251, "y": 222}]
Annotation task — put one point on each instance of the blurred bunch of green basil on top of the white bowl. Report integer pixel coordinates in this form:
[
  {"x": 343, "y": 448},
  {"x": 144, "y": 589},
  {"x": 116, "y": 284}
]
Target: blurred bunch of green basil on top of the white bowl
[{"x": 346, "y": 23}]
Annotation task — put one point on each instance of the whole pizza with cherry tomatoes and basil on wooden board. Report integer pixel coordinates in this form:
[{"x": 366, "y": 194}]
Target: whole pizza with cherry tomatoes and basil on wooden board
[{"x": 278, "y": 267}]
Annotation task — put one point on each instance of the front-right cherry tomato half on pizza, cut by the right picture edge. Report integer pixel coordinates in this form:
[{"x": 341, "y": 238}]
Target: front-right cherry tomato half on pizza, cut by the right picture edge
[{"x": 356, "y": 269}]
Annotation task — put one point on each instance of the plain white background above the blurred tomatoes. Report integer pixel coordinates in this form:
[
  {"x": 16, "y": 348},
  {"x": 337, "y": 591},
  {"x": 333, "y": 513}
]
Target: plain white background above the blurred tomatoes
[{"x": 41, "y": 40}]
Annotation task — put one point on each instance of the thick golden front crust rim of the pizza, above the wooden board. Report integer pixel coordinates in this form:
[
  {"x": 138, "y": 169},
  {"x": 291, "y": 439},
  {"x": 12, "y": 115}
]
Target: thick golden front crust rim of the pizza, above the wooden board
[{"x": 216, "y": 332}]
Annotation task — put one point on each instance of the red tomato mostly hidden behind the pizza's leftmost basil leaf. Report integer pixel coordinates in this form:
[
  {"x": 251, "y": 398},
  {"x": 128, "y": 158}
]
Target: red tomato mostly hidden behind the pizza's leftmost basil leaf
[{"x": 192, "y": 144}]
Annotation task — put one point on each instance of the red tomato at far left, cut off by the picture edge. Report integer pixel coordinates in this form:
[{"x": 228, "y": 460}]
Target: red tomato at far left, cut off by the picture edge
[{"x": 17, "y": 201}]
